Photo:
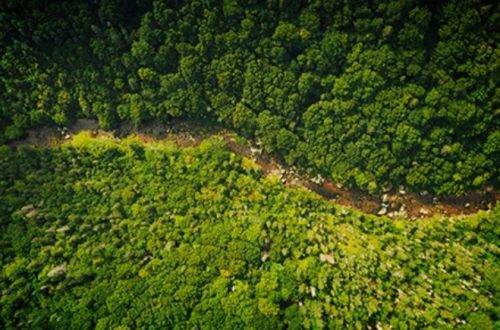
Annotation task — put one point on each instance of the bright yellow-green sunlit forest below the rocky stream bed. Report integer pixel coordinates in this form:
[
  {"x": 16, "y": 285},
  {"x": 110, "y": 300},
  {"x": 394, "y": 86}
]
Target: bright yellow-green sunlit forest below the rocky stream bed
[{"x": 107, "y": 234}]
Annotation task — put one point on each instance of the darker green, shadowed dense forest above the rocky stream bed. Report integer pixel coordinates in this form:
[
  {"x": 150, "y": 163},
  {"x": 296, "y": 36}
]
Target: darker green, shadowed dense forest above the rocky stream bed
[{"x": 369, "y": 93}]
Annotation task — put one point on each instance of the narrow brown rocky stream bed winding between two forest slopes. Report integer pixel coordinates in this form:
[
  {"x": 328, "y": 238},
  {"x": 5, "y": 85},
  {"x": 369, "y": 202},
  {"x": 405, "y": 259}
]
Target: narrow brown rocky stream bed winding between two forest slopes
[{"x": 394, "y": 203}]
